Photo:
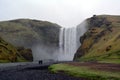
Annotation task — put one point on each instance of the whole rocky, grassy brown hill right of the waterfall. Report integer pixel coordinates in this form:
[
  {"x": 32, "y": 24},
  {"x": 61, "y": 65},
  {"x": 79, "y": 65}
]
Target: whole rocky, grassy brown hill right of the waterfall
[{"x": 101, "y": 40}]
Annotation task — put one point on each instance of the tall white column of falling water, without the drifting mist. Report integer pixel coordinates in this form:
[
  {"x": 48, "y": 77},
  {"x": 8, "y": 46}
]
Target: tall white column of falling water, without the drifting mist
[{"x": 67, "y": 44}]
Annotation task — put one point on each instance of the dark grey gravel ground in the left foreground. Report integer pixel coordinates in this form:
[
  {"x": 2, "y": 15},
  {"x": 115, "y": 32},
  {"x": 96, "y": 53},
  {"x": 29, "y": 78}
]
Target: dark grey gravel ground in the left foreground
[{"x": 31, "y": 72}]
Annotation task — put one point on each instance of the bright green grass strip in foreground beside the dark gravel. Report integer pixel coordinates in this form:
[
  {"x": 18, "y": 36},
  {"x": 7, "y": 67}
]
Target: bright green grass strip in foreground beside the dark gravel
[{"x": 84, "y": 72}]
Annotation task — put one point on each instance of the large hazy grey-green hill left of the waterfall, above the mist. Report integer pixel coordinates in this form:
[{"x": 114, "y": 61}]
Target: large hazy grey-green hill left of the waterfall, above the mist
[{"x": 26, "y": 32}]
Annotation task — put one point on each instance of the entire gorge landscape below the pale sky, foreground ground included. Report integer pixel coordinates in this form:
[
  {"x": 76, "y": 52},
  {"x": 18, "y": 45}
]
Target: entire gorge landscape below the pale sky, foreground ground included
[{"x": 88, "y": 51}]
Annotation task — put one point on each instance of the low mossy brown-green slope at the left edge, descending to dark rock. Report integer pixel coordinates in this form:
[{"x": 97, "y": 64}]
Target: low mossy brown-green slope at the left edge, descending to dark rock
[{"x": 8, "y": 53}]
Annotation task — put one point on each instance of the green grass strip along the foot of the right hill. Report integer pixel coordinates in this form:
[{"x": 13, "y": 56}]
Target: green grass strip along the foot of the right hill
[{"x": 112, "y": 57}]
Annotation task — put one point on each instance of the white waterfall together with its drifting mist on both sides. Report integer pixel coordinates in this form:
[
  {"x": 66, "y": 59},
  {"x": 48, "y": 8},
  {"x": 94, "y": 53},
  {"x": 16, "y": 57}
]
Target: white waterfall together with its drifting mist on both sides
[{"x": 69, "y": 42}]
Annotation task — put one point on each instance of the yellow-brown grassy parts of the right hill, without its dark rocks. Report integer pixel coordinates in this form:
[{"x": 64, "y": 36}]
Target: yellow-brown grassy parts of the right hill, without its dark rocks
[{"x": 98, "y": 50}]
